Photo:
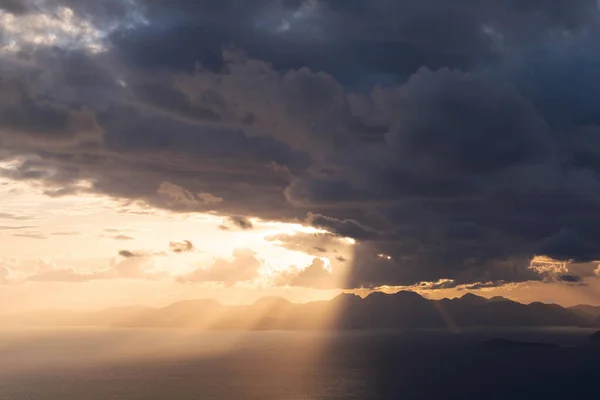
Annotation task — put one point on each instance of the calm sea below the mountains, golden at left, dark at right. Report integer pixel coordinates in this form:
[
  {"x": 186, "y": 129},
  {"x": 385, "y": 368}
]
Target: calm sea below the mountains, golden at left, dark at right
[{"x": 136, "y": 364}]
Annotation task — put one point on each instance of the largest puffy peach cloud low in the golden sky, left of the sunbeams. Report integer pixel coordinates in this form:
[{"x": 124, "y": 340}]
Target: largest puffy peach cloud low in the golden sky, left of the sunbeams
[{"x": 244, "y": 267}]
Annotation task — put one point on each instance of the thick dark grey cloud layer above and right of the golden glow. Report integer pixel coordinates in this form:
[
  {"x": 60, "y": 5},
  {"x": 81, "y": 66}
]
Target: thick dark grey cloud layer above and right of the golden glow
[{"x": 458, "y": 139}]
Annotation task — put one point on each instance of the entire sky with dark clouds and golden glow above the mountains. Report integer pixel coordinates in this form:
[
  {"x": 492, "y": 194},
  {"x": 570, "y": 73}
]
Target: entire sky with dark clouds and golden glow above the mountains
[{"x": 153, "y": 151}]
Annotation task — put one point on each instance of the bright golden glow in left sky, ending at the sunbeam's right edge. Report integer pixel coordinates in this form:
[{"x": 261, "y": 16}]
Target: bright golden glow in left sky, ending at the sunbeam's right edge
[{"x": 49, "y": 236}]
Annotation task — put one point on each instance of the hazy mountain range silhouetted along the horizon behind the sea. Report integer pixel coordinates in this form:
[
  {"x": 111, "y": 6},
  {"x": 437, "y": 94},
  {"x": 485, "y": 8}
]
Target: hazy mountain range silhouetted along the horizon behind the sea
[{"x": 378, "y": 310}]
